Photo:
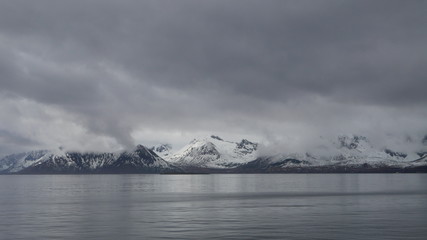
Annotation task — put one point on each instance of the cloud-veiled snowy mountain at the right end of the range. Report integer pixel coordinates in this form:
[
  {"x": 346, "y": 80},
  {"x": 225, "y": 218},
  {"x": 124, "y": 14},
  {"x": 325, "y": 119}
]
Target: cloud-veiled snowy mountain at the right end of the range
[{"x": 346, "y": 152}]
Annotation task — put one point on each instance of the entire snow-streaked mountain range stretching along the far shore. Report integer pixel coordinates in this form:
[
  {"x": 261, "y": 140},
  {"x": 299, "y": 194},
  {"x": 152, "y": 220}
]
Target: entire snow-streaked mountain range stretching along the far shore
[{"x": 345, "y": 154}]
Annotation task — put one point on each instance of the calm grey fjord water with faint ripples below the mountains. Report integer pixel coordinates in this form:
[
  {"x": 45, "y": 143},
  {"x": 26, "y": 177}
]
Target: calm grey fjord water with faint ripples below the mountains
[{"x": 228, "y": 206}]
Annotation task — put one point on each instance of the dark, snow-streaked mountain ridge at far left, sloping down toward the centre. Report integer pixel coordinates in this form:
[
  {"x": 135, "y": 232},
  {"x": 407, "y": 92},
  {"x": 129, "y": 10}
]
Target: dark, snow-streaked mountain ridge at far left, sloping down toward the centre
[{"x": 139, "y": 160}]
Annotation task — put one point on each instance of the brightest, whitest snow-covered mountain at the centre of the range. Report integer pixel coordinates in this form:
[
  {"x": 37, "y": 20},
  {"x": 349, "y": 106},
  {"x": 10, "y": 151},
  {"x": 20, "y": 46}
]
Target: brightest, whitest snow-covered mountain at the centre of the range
[{"x": 214, "y": 152}]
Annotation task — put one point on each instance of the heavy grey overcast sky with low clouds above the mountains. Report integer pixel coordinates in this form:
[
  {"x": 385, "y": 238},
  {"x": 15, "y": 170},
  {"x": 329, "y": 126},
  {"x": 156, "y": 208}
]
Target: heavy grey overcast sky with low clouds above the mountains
[{"x": 107, "y": 75}]
